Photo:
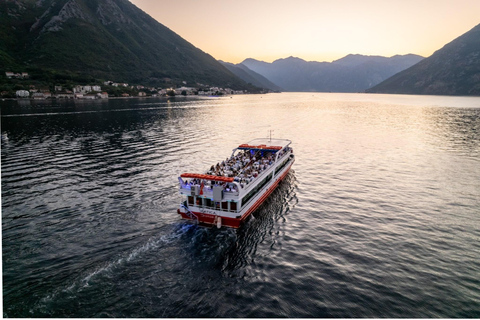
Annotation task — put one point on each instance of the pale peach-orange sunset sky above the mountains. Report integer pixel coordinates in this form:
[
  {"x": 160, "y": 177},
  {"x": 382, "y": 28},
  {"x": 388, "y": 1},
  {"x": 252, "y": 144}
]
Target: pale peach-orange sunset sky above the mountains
[{"x": 314, "y": 30}]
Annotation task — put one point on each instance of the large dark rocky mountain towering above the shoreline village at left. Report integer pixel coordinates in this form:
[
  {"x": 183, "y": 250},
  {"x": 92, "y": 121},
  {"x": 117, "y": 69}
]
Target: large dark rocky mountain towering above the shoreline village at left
[{"x": 102, "y": 39}]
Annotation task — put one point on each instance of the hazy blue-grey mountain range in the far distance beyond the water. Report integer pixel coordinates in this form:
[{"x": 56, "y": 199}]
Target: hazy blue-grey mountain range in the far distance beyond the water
[{"x": 353, "y": 73}]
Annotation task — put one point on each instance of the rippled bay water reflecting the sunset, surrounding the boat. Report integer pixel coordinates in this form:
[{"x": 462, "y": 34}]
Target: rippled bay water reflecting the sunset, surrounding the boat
[{"x": 379, "y": 217}]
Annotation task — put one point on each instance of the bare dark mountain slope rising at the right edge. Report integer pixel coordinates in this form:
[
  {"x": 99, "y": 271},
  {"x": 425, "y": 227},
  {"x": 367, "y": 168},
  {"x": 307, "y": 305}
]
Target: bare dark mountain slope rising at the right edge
[{"x": 452, "y": 70}]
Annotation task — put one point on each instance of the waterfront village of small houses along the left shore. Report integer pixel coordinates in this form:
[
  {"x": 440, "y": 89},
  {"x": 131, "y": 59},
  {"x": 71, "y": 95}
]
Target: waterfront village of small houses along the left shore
[{"x": 102, "y": 92}]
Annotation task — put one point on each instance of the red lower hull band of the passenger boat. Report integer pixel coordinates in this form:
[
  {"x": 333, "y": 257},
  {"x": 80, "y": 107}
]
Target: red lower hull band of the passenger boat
[{"x": 209, "y": 219}]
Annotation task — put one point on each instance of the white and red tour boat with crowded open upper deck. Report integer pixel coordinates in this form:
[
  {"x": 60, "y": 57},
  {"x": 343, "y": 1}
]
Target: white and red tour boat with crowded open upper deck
[{"x": 231, "y": 190}]
